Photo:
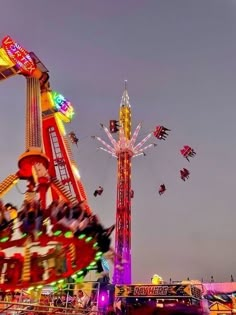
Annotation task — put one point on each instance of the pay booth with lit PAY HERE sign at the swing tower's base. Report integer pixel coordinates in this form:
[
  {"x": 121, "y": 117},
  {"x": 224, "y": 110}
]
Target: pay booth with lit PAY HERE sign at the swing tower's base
[{"x": 129, "y": 298}]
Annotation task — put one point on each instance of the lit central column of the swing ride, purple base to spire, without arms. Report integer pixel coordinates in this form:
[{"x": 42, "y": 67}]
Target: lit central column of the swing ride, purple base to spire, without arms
[{"x": 123, "y": 206}]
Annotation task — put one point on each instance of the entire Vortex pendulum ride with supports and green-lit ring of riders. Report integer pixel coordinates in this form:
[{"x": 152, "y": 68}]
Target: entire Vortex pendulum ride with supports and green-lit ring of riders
[{"x": 35, "y": 247}]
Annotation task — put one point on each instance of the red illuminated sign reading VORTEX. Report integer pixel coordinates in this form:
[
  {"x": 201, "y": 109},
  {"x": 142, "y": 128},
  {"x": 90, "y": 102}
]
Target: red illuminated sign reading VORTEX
[{"x": 18, "y": 55}]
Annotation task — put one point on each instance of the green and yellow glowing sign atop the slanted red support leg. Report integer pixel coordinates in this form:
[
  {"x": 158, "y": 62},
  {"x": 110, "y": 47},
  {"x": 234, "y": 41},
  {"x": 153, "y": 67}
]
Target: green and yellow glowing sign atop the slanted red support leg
[{"x": 62, "y": 105}]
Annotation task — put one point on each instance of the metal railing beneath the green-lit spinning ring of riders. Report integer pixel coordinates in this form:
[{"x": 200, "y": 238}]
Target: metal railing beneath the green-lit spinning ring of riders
[{"x": 48, "y": 301}]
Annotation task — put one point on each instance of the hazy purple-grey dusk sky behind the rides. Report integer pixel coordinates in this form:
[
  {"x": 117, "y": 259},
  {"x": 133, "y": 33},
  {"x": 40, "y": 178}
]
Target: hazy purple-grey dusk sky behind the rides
[{"x": 179, "y": 57}]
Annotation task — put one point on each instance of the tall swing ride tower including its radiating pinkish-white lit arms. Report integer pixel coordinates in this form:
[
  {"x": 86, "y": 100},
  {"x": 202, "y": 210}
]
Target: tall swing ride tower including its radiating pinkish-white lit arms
[{"x": 124, "y": 149}]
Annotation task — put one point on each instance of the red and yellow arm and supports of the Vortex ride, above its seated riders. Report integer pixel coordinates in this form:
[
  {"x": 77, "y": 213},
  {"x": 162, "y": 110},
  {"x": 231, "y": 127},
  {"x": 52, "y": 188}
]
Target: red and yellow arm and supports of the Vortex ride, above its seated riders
[{"x": 47, "y": 161}]
